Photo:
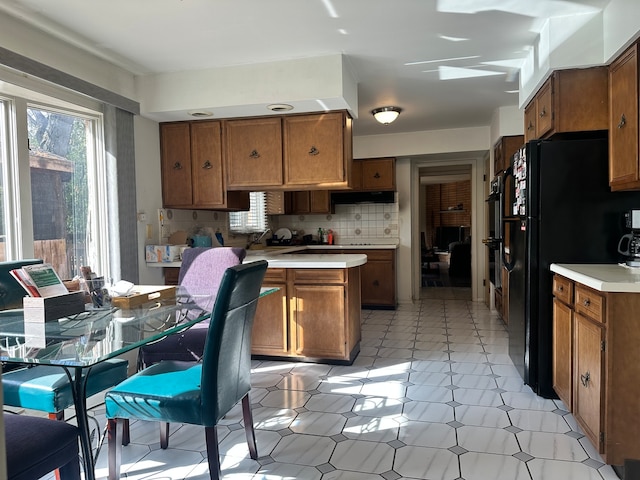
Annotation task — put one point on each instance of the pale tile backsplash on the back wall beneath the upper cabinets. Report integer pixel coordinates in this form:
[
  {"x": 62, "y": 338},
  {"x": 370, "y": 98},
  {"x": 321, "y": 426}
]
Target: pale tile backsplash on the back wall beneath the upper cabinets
[{"x": 350, "y": 223}]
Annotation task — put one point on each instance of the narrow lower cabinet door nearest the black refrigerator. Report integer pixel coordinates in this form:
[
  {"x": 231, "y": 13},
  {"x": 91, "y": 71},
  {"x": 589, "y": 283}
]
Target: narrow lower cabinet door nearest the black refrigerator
[{"x": 562, "y": 356}]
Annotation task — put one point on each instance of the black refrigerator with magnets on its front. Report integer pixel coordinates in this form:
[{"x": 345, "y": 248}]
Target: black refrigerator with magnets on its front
[{"x": 562, "y": 211}]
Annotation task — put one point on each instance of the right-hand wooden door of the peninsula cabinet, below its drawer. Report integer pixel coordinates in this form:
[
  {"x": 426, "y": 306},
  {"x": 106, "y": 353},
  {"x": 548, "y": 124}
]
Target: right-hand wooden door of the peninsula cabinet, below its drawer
[{"x": 318, "y": 320}]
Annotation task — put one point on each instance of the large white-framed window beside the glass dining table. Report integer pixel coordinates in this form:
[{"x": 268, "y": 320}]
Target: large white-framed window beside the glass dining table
[{"x": 52, "y": 151}]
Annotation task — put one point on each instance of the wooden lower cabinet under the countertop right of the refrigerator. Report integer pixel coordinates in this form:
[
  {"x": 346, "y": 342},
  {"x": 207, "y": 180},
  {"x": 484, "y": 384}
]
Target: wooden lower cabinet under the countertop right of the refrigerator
[{"x": 596, "y": 365}]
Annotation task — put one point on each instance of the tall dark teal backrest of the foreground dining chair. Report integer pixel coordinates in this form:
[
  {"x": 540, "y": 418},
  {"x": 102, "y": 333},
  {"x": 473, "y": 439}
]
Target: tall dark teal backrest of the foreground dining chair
[{"x": 226, "y": 364}]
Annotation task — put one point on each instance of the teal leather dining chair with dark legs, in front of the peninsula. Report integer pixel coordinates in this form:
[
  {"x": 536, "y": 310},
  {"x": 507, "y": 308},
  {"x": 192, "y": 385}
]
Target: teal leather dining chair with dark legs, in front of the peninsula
[{"x": 198, "y": 393}]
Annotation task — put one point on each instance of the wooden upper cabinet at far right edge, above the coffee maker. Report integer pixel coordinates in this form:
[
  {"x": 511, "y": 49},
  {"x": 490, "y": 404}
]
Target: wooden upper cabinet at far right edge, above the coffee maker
[{"x": 624, "y": 168}]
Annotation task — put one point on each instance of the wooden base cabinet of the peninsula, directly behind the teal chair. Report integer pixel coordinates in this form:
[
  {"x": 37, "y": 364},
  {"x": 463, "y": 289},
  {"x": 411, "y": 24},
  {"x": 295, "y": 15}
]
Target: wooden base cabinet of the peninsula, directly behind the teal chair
[{"x": 315, "y": 316}]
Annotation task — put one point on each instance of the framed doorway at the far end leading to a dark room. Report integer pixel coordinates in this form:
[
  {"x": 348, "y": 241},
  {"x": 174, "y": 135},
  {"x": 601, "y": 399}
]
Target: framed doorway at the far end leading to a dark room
[{"x": 467, "y": 219}]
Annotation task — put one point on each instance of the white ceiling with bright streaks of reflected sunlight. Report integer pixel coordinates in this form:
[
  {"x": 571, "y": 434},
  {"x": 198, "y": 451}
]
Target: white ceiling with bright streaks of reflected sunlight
[{"x": 446, "y": 63}]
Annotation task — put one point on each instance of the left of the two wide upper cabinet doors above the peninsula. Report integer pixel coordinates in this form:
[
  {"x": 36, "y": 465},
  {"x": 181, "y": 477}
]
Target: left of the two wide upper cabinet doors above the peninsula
[{"x": 253, "y": 151}]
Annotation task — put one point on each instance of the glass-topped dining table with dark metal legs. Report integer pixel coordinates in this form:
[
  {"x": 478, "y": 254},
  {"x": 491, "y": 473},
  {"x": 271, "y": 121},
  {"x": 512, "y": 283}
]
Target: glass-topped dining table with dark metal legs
[{"x": 79, "y": 342}]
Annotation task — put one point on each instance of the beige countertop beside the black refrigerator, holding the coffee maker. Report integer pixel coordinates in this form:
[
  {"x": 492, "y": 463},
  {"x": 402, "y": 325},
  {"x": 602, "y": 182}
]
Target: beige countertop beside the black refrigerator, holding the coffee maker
[{"x": 601, "y": 277}]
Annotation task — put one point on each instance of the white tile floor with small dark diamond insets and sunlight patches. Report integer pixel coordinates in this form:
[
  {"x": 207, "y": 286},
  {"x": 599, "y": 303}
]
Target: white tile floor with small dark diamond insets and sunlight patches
[{"x": 432, "y": 395}]
